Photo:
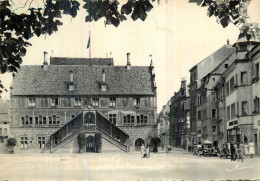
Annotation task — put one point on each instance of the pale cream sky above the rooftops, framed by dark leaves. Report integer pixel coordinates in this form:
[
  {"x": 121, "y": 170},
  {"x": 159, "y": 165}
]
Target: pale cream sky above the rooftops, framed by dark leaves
[{"x": 178, "y": 34}]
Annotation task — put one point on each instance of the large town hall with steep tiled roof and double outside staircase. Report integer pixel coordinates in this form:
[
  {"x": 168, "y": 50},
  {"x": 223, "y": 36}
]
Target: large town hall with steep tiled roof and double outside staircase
[{"x": 49, "y": 102}]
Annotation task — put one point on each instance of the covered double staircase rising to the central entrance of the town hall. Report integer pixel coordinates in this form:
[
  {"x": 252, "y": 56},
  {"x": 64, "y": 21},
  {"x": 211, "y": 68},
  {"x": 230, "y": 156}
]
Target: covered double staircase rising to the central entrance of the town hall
[{"x": 77, "y": 125}]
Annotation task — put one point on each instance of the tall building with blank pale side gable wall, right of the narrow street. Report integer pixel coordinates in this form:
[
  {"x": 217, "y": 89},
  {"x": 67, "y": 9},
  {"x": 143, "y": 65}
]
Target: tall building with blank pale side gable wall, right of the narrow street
[{"x": 197, "y": 92}]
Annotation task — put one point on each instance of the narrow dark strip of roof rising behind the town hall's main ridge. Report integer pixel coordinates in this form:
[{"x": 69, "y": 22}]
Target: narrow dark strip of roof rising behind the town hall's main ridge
[{"x": 80, "y": 61}]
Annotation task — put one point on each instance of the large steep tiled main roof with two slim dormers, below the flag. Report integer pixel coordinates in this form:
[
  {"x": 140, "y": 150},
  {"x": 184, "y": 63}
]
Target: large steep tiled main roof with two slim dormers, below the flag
[{"x": 33, "y": 80}]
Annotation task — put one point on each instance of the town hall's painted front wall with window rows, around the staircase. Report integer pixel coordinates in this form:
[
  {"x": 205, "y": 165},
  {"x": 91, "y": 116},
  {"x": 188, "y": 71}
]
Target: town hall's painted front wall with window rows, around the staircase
[{"x": 124, "y": 106}]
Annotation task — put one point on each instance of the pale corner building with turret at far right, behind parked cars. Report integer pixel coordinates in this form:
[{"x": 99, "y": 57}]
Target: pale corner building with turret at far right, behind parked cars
[{"x": 237, "y": 97}]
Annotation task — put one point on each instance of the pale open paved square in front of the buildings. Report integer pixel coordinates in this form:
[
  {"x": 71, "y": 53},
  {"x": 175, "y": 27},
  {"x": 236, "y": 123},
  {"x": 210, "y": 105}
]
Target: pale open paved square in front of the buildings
[{"x": 177, "y": 165}]
